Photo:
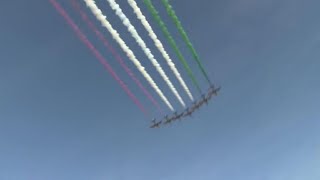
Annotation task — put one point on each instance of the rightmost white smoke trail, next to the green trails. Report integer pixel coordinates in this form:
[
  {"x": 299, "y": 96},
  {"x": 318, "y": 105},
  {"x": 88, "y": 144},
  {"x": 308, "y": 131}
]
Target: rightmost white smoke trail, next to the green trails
[{"x": 159, "y": 45}]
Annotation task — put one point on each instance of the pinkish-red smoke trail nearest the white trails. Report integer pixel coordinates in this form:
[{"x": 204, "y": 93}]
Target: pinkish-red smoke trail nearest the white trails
[{"x": 85, "y": 18}]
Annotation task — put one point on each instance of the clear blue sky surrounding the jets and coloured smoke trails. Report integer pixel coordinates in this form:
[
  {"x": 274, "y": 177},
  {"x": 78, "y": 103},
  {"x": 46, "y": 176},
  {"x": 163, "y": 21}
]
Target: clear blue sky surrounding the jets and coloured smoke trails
[{"x": 63, "y": 117}]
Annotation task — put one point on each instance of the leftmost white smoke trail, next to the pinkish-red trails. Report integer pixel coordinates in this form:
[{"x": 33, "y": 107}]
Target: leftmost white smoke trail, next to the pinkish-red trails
[{"x": 97, "y": 12}]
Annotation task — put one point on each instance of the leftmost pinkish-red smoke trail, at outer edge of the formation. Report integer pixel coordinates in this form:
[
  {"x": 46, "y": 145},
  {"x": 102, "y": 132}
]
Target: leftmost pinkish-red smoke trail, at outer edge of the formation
[{"x": 90, "y": 46}]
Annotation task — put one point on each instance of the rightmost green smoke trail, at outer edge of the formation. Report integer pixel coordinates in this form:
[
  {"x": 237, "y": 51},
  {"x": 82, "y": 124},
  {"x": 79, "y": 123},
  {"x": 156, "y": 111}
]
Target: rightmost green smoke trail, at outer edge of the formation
[{"x": 184, "y": 35}]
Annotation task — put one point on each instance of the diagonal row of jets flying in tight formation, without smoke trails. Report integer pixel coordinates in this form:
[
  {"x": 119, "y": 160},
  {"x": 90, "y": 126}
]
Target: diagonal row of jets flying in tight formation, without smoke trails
[{"x": 187, "y": 112}]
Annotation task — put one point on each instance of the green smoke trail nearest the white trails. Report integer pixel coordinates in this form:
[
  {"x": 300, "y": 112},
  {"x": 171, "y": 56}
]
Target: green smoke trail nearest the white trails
[{"x": 172, "y": 42}]
